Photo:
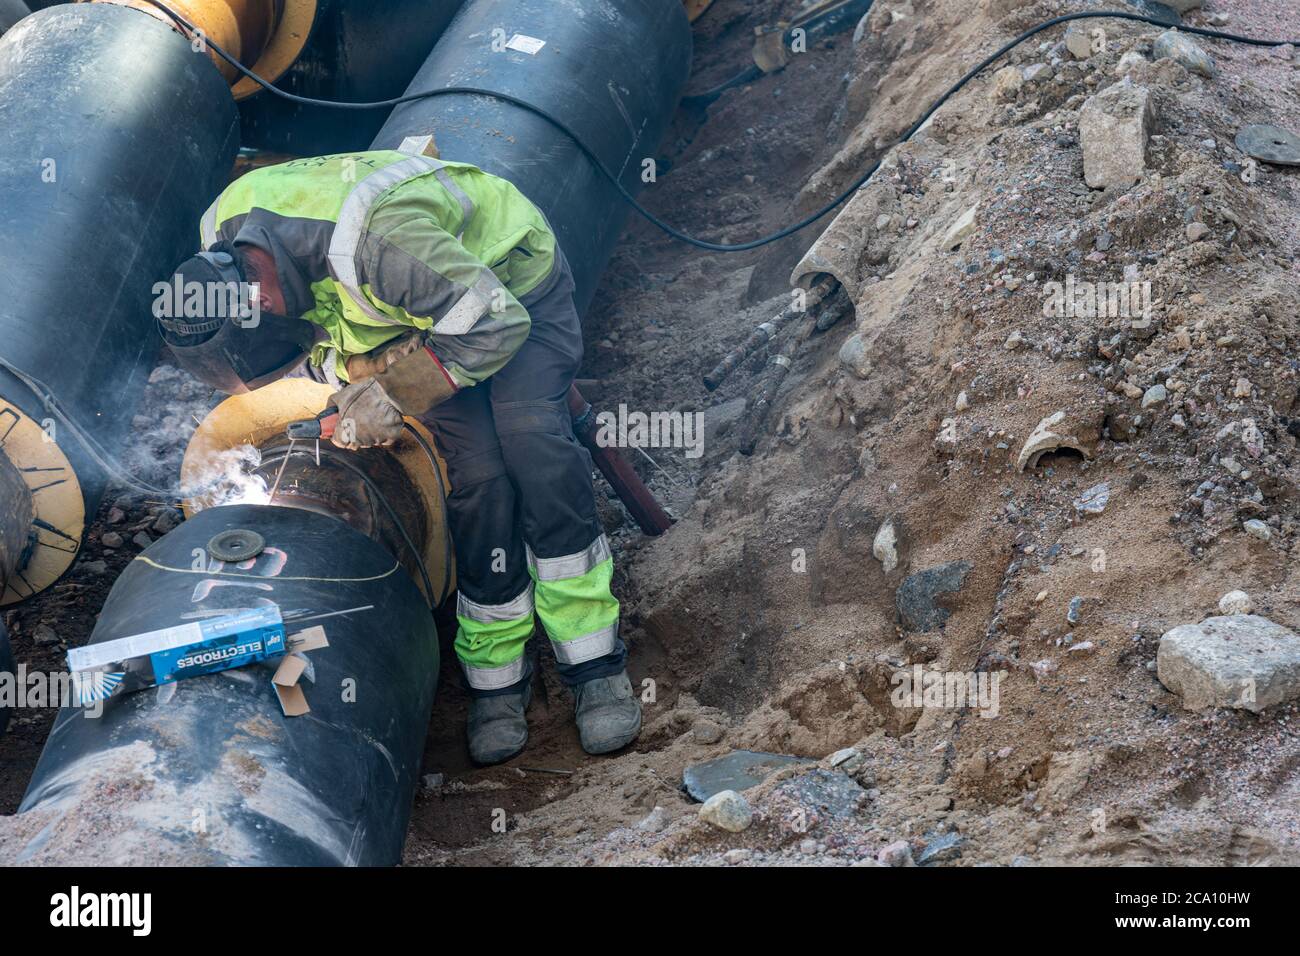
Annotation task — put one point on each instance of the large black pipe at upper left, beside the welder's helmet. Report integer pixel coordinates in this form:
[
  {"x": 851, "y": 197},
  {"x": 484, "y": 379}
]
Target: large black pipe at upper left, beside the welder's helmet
[{"x": 115, "y": 136}]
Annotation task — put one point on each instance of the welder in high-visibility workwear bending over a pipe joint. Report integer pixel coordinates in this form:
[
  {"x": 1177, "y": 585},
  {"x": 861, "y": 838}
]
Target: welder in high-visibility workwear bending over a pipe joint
[{"x": 435, "y": 291}]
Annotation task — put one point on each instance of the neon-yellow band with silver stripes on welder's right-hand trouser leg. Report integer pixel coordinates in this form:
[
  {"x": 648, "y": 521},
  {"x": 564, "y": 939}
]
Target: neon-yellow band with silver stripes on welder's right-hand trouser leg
[{"x": 575, "y": 604}]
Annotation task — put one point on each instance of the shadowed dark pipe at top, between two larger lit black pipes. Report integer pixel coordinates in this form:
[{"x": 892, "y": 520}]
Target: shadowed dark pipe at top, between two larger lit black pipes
[{"x": 359, "y": 51}]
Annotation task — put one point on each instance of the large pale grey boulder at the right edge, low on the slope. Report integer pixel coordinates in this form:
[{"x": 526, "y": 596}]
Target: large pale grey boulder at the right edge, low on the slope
[{"x": 1240, "y": 661}]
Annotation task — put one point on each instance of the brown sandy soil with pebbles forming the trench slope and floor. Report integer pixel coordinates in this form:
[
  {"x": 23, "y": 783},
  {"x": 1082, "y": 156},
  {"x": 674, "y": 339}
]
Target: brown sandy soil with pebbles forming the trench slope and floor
[{"x": 765, "y": 621}]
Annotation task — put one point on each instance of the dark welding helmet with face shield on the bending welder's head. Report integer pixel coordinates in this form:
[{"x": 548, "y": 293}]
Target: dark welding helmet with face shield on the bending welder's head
[{"x": 213, "y": 322}]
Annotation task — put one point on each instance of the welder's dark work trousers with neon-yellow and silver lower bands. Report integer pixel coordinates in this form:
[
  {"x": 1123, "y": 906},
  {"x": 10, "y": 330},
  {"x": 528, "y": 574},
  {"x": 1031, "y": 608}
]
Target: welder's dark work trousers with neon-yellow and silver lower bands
[{"x": 523, "y": 513}]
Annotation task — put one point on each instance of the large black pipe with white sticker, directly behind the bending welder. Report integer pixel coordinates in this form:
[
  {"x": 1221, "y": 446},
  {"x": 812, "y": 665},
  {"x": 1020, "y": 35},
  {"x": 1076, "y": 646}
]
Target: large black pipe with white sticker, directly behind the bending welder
[{"x": 613, "y": 72}]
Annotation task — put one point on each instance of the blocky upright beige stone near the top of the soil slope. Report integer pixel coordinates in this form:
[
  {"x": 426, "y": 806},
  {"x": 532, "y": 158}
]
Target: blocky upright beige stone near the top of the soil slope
[{"x": 1113, "y": 131}]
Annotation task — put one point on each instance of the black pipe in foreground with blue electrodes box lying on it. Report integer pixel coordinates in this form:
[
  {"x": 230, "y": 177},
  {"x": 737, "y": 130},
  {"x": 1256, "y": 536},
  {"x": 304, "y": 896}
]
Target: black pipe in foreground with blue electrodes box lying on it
[{"x": 207, "y": 771}]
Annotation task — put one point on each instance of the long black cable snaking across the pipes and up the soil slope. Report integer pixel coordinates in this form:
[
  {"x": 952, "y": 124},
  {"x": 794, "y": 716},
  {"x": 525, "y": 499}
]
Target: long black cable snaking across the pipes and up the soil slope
[{"x": 630, "y": 200}]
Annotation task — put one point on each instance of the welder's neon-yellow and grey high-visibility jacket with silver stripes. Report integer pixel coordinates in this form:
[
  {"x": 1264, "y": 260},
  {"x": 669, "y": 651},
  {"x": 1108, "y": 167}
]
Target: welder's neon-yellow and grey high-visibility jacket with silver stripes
[{"x": 371, "y": 245}]
